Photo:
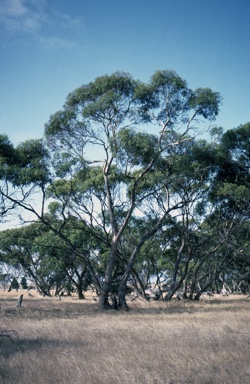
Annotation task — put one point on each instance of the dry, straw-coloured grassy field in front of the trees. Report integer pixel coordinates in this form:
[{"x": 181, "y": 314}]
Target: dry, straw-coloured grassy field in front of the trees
[{"x": 71, "y": 341}]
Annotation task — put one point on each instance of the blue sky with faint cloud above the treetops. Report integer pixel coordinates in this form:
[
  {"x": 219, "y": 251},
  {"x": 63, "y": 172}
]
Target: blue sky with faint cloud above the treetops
[{"x": 50, "y": 47}]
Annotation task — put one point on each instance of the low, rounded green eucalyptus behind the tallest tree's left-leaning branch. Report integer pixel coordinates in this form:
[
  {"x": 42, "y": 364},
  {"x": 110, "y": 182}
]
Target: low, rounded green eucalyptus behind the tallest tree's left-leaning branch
[{"x": 47, "y": 261}]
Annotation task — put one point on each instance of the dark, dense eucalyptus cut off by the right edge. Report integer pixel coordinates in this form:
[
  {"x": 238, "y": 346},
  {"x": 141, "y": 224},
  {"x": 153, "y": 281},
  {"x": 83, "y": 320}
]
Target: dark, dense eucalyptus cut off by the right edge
[{"x": 228, "y": 215}]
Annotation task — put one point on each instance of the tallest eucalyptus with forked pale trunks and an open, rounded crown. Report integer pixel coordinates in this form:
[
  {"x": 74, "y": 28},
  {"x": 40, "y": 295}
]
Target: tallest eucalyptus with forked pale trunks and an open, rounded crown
[{"x": 112, "y": 150}]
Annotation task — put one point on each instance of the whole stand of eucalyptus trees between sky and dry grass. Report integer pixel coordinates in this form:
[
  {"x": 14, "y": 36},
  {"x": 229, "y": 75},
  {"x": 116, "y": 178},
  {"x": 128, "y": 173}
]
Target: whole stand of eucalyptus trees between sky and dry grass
[{"x": 133, "y": 187}]
